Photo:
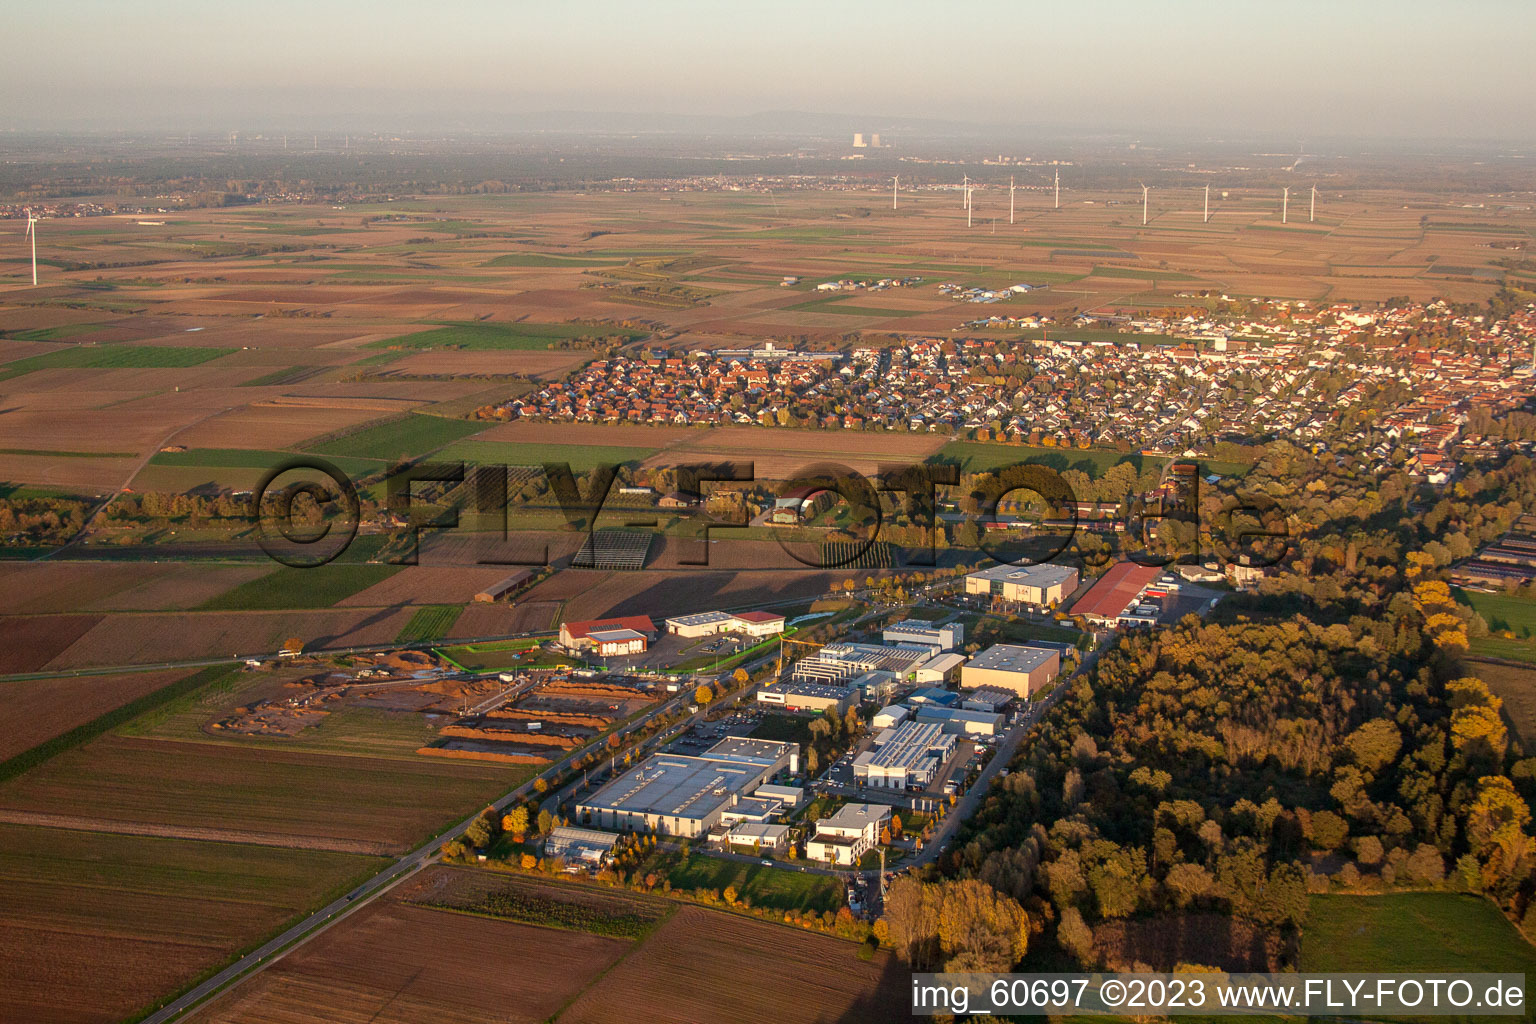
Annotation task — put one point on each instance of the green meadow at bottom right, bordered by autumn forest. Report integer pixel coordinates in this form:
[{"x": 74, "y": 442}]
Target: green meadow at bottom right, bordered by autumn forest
[{"x": 1411, "y": 931}]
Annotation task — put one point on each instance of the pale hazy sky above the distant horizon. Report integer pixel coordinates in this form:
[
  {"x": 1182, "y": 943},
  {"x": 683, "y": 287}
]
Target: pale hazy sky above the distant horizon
[{"x": 1349, "y": 67}]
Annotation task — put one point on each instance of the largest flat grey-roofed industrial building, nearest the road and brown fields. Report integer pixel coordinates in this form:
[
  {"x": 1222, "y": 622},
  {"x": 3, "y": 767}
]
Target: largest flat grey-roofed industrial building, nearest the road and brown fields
[{"x": 677, "y": 794}]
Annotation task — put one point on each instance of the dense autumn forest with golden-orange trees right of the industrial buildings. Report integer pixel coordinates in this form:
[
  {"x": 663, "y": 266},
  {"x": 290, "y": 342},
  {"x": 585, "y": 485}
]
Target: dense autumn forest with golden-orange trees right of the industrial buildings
[{"x": 1325, "y": 735}]
